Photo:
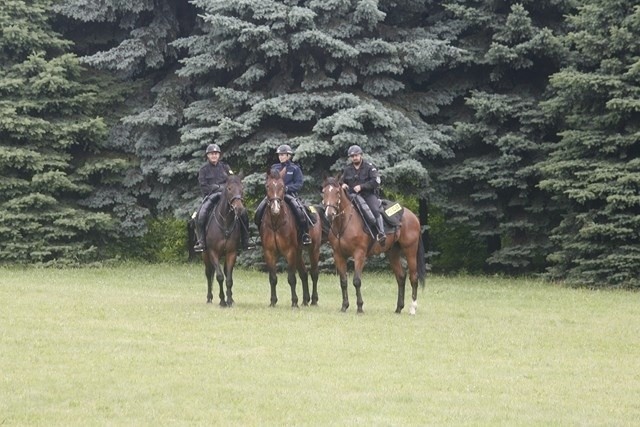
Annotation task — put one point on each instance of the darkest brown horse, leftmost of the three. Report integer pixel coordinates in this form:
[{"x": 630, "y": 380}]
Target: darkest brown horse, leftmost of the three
[{"x": 223, "y": 238}]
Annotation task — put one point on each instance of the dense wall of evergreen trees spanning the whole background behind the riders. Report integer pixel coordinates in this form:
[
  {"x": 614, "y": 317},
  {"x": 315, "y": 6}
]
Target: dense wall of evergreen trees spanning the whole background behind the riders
[{"x": 512, "y": 125}]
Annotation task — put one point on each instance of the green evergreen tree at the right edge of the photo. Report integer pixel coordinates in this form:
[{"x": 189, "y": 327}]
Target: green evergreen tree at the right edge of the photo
[{"x": 594, "y": 169}]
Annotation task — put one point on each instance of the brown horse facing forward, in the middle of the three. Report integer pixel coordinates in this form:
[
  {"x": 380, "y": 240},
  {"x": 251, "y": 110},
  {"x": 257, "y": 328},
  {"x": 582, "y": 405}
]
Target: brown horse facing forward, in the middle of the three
[{"x": 279, "y": 235}]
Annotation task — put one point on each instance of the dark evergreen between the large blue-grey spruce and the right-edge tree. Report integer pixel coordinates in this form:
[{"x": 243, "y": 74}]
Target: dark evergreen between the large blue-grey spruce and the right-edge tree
[{"x": 490, "y": 182}]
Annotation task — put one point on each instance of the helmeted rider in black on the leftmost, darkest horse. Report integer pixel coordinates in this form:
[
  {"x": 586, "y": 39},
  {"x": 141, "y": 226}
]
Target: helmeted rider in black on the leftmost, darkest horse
[{"x": 211, "y": 177}]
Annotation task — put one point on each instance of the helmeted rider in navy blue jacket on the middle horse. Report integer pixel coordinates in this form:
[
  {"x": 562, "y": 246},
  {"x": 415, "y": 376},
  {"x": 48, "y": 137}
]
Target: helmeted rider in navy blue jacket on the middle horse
[{"x": 293, "y": 181}]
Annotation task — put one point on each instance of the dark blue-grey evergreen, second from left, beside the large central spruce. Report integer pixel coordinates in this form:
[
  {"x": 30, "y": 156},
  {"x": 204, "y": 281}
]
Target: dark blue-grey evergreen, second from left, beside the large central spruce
[{"x": 132, "y": 42}]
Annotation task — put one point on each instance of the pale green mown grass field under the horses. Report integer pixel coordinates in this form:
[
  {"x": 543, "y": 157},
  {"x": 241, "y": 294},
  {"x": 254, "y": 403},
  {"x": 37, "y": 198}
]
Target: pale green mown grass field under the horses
[{"x": 137, "y": 345}]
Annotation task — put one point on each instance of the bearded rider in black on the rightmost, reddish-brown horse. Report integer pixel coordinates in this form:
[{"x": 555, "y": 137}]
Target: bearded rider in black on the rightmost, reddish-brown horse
[{"x": 362, "y": 178}]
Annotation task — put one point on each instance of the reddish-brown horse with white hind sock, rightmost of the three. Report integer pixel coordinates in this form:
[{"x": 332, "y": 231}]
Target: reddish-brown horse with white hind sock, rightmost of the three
[{"x": 348, "y": 238}]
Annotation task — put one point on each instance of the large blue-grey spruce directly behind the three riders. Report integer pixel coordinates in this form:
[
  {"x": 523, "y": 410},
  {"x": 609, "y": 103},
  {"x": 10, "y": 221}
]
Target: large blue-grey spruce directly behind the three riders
[{"x": 319, "y": 75}]
